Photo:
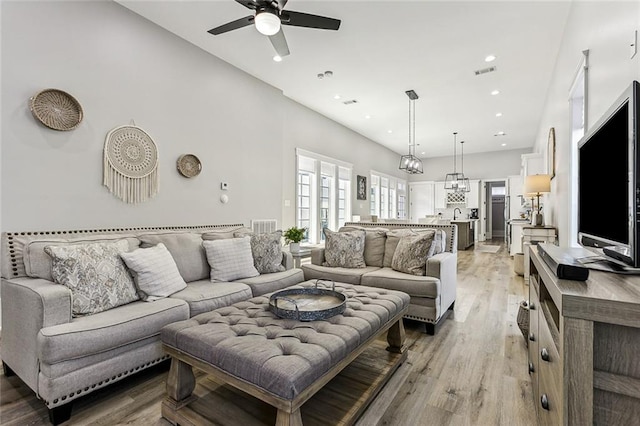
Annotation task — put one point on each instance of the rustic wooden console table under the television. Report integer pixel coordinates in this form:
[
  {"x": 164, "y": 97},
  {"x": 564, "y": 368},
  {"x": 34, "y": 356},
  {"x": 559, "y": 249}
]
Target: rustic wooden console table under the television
[{"x": 584, "y": 347}]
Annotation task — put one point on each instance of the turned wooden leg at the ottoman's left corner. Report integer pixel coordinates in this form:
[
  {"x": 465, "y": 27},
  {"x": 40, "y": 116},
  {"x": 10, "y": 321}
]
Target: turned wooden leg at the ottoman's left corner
[{"x": 180, "y": 385}]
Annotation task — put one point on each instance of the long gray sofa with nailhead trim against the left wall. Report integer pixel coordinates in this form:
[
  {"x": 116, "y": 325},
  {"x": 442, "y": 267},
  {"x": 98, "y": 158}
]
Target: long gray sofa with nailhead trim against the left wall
[{"x": 61, "y": 357}]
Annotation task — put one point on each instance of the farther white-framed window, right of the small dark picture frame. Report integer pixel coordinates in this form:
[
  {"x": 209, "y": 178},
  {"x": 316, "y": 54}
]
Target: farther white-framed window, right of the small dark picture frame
[{"x": 388, "y": 196}]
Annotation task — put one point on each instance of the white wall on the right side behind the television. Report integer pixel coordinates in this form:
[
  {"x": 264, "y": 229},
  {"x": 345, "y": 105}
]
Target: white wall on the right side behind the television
[{"x": 605, "y": 29}]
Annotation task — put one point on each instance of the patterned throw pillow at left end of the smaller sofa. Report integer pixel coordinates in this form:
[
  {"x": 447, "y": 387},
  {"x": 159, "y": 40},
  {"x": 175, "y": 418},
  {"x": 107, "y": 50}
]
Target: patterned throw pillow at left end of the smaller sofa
[{"x": 344, "y": 249}]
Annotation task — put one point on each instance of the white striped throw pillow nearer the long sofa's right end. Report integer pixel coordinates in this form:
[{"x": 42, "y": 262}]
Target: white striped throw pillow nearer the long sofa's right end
[{"x": 230, "y": 259}]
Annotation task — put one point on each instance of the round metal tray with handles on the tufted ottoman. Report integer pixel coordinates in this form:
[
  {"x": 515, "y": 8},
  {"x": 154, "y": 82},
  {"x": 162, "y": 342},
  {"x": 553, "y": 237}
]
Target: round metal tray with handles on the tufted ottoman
[{"x": 308, "y": 304}]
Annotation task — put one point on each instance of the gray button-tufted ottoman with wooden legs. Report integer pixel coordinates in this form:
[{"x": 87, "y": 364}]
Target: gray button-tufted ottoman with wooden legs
[{"x": 282, "y": 362}]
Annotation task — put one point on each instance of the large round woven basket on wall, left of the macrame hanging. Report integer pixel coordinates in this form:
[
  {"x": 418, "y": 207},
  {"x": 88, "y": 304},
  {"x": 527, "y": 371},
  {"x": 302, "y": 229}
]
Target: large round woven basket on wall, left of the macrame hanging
[{"x": 56, "y": 109}]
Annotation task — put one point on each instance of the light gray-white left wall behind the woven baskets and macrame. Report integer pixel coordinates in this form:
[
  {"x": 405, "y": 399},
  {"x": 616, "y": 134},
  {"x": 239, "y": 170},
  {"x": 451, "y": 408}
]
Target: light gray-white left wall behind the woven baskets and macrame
[{"x": 122, "y": 67}]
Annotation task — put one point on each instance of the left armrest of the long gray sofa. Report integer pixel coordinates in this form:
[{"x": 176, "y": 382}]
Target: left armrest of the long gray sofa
[{"x": 29, "y": 305}]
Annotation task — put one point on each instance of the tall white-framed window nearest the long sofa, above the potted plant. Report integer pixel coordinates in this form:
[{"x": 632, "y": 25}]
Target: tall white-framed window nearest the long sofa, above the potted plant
[{"x": 323, "y": 194}]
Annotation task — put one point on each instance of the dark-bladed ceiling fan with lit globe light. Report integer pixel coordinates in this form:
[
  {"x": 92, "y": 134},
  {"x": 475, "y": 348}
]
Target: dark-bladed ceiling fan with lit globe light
[{"x": 269, "y": 17}]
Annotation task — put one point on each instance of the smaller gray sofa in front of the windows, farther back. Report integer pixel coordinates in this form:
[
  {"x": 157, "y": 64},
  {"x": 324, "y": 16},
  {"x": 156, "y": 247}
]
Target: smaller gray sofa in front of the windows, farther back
[{"x": 432, "y": 295}]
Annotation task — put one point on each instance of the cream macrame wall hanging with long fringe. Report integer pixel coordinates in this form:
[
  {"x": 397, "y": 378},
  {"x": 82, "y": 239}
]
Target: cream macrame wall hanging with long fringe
[{"x": 131, "y": 164}]
